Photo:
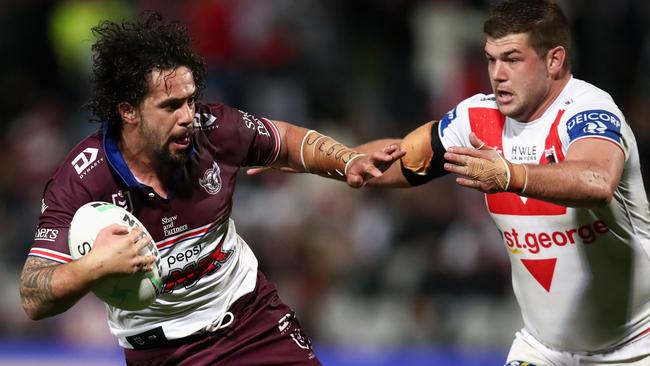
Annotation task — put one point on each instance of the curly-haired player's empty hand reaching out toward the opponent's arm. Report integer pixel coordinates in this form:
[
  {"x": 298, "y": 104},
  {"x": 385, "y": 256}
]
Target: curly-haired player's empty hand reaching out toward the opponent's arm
[{"x": 366, "y": 167}]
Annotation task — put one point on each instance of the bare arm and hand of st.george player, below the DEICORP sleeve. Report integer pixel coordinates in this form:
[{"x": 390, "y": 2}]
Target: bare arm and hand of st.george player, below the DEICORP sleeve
[{"x": 583, "y": 179}]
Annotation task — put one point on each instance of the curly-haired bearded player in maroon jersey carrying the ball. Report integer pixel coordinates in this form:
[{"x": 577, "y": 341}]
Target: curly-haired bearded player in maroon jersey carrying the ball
[{"x": 173, "y": 163}]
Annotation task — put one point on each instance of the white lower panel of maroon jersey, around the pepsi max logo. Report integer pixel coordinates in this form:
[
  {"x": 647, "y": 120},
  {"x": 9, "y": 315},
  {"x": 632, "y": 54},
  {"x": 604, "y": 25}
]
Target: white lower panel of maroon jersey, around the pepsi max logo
[{"x": 230, "y": 272}]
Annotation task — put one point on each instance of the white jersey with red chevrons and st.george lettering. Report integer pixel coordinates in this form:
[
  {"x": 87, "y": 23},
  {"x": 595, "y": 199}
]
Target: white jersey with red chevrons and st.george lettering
[{"x": 581, "y": 276}]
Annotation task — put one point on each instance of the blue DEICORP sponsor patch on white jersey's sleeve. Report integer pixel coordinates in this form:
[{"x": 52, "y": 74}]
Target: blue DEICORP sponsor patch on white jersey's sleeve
[{"x": 597, "y": 122}]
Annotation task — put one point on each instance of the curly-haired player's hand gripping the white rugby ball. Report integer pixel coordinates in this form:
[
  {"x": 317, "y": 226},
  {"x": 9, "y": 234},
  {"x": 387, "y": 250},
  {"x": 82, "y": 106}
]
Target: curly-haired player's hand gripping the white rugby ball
[{"x": 116, "y": 251}]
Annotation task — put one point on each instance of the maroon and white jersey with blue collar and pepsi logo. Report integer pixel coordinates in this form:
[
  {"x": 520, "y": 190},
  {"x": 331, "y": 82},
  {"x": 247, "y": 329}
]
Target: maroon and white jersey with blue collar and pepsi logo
[{"x": 206, "y": 265}]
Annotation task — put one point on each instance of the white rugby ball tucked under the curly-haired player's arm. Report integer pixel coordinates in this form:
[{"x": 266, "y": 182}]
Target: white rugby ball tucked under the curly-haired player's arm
[{"x": 129, "y": 292}]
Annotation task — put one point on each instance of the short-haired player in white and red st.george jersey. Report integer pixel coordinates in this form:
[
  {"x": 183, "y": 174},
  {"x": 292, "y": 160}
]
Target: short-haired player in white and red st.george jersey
[{"x": 560, "y": 168}]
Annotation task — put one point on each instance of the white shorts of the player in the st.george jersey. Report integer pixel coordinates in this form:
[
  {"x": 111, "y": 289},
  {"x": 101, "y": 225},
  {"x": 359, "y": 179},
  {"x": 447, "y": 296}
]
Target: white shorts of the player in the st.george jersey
[{"x": 526, "y": 350}]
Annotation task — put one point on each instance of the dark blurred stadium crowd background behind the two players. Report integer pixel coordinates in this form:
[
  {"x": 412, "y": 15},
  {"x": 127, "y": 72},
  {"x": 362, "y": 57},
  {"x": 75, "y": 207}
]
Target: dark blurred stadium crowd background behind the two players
[{"x": 409, "y": 277}]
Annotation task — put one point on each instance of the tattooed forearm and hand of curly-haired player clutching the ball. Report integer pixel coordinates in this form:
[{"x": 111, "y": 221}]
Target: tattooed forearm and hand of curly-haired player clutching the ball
[{"x": 48, "y": 288}]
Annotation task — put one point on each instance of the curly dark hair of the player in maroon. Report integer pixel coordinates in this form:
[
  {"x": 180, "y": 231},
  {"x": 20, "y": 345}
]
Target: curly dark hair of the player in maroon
[{"x": 125, "y": 54}]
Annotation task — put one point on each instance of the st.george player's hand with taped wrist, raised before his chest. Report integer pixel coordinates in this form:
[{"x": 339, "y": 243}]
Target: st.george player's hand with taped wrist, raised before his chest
[{"x": 480, "y": 167}]
